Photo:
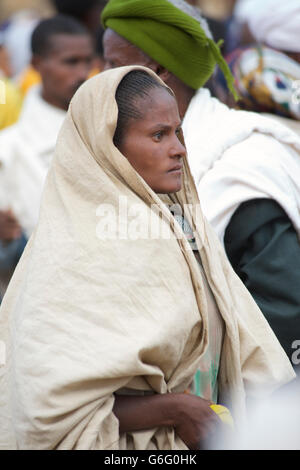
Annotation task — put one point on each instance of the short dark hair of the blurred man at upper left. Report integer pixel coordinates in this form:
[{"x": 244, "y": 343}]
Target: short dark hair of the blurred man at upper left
[{"x": 59, "y": 24}]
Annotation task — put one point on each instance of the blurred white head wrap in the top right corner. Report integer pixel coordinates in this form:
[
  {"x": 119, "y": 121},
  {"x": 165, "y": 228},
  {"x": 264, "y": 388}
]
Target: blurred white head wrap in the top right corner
[{"x": 273, "y": 22}]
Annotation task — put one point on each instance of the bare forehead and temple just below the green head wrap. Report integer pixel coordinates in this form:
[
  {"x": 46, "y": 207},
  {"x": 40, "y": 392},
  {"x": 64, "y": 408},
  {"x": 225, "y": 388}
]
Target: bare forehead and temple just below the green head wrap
[{"x": 119, "y": 50}]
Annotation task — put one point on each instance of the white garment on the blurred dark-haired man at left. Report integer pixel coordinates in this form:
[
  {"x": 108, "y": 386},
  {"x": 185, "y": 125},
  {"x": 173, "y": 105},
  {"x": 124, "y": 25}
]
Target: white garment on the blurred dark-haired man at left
[{"x": 26, "y": 150}]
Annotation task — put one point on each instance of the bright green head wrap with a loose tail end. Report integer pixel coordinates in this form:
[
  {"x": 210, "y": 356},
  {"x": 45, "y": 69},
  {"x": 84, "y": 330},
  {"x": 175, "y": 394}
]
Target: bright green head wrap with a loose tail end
[{"x": 169, "y": 36}]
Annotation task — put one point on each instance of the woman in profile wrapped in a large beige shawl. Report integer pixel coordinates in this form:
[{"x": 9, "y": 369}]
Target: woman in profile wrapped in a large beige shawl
[{"x": 106, "y": 326}]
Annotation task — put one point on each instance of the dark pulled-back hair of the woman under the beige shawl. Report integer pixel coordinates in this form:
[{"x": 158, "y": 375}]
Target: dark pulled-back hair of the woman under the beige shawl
[{"x": 132, "y": 88}]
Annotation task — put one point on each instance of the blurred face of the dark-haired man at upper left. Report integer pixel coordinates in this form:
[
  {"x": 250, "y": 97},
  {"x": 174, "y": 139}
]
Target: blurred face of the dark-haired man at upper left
[{"x": 65, "y": 67}]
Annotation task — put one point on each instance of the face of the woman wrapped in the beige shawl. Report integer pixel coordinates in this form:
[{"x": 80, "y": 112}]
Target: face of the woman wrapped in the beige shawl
[{"x": 151, "y": 144}]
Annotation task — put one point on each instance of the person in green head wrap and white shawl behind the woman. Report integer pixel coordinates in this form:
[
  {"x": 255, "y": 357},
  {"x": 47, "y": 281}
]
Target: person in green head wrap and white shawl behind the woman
[{"x": 246, "y": 167}]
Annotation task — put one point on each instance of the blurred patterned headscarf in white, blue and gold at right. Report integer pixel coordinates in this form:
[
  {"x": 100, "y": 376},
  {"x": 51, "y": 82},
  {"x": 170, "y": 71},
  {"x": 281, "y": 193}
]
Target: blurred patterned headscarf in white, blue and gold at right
[{"x": 266, "y": 80}]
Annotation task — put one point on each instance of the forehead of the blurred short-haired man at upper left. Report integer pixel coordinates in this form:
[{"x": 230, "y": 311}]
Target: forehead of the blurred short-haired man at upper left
[{"x": 70, "y": 45}]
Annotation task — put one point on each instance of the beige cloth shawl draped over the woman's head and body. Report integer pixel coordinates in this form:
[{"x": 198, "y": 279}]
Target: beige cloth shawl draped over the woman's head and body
[{"x": 84, "y": 317}]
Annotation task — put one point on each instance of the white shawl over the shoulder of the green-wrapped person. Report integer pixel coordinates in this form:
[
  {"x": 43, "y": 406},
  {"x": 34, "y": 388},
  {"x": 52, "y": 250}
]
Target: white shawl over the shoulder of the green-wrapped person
[{"x": 236, "y": 156}]
